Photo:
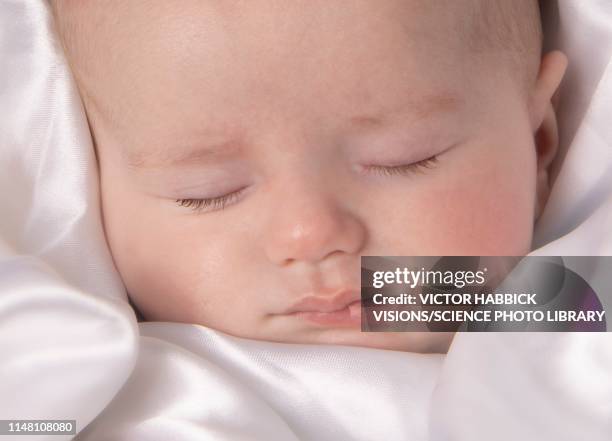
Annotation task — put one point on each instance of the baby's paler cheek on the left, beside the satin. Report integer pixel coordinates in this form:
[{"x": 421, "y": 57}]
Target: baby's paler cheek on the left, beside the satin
[{"x": 174, "y": 268}]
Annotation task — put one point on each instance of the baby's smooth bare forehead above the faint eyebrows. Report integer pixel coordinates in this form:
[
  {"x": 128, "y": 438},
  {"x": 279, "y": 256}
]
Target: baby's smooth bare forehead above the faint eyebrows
[{"x": 152, "y": 56}]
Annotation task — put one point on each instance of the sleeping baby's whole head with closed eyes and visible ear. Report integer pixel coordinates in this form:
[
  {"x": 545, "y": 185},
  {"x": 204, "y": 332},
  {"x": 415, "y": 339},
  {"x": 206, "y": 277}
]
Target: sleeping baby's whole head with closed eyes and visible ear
[{"x": 251, "y": 151}]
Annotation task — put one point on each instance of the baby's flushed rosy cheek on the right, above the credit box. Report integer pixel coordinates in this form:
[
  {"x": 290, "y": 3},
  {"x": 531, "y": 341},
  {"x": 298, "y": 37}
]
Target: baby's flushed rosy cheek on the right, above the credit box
[{"x": 484, "y": 208}]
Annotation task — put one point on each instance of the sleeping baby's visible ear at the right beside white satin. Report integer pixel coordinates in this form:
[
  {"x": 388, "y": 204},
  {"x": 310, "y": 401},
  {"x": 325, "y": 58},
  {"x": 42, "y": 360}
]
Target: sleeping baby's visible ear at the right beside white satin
[{"x": 544, "y": 120}]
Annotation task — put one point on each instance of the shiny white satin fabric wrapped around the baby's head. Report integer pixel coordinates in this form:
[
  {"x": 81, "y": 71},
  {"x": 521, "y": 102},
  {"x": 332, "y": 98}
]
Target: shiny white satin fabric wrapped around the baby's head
[{"x": 70, "y": 347}]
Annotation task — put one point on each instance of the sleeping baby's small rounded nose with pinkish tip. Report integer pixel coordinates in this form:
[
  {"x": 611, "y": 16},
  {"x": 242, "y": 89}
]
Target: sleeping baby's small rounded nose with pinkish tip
[{"x": 311, "y": 225}]
